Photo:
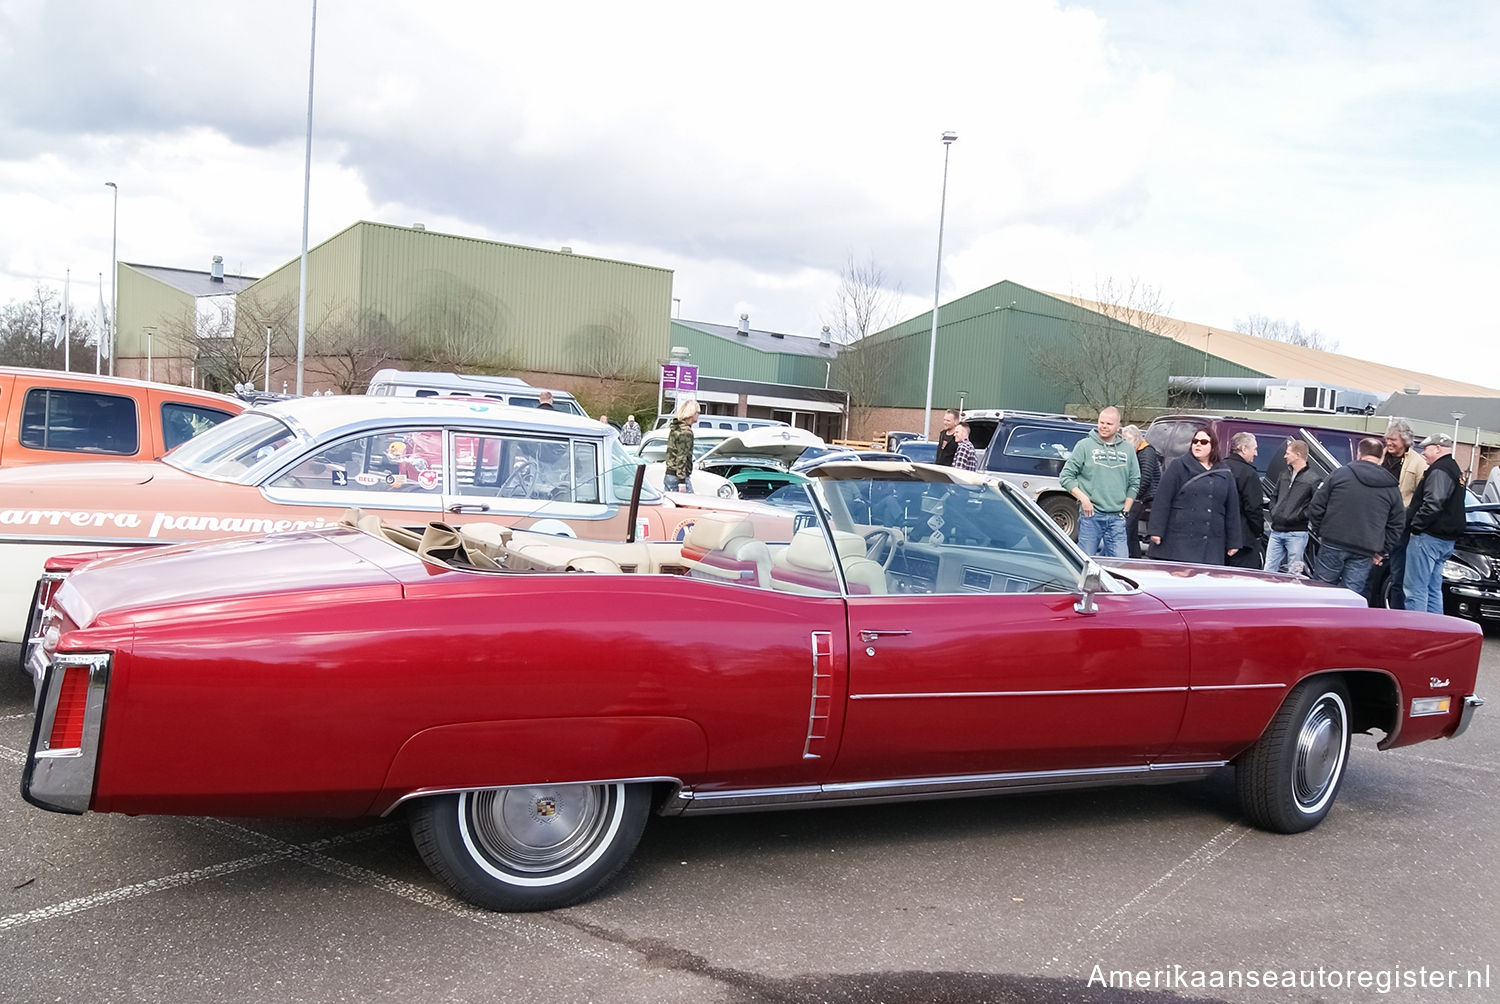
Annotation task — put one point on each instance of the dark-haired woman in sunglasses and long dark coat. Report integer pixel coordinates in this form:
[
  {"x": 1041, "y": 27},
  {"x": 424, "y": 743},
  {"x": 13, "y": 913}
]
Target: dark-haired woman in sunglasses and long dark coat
[{"x": 1196, "y": 514}]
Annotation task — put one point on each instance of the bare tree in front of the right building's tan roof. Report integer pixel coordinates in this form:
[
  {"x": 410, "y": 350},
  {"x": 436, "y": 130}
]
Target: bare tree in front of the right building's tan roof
[{"x": 1118, "y": 350}]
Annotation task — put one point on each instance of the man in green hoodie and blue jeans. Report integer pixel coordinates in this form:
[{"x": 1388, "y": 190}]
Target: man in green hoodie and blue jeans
[{"x": 1103, "y": 475}]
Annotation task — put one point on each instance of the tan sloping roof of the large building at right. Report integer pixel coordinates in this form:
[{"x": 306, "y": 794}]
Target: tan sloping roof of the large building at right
[{"x": 1297, "y": 362}]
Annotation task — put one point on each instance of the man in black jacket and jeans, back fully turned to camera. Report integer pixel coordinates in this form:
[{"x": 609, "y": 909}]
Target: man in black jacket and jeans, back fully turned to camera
[{"x": 1357, "y": 519}]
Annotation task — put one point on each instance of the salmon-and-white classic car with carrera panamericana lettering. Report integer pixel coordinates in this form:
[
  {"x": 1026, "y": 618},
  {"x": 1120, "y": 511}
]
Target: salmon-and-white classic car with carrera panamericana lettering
[{"x": 299, "y": 464}]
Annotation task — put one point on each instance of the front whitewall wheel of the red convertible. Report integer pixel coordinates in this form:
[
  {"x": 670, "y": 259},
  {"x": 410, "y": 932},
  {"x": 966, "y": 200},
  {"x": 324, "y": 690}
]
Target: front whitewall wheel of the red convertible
[{"x": 1288, "y": 781}]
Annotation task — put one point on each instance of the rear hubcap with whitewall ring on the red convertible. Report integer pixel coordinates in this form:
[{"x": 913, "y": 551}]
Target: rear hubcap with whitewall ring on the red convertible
[{"x": 538, "y": 831}]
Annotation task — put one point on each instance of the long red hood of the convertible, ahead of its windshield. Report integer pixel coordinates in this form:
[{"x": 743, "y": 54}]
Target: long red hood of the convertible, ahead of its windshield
[{"x": 1216, "y": 588}]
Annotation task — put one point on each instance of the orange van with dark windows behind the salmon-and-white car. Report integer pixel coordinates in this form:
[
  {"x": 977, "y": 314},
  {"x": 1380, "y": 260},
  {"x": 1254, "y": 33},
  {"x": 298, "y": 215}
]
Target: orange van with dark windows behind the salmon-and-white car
[{"x": 47, "y": 415}]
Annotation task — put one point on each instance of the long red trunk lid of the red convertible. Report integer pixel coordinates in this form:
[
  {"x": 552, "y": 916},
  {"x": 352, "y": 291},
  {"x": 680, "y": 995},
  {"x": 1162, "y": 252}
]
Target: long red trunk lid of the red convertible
[{"x": 209, "y": 577}]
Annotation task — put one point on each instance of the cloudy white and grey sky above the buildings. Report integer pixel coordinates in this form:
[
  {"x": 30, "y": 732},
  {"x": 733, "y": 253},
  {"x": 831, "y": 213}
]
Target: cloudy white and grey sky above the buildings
[{"x": 1325, "y": 163}]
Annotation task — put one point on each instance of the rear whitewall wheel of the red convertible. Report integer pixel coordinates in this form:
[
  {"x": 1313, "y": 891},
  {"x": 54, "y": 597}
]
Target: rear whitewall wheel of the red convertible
[{"x": 530, "y": 849}]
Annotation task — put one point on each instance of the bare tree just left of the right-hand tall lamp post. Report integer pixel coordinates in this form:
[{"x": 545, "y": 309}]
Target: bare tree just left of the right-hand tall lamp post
[{"x": 863, "y": 305}]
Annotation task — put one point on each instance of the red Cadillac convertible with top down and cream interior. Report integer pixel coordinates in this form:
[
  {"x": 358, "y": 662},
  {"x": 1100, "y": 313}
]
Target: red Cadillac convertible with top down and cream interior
[{"x": 530, "y": 700}]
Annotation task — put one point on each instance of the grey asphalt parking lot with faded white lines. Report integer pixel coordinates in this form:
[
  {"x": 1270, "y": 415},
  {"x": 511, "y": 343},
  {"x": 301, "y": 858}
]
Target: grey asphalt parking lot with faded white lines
[{"x": 1034, "y": 898}]
